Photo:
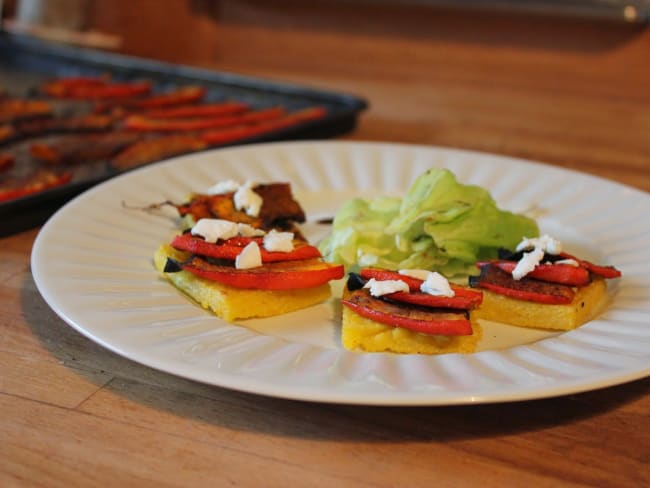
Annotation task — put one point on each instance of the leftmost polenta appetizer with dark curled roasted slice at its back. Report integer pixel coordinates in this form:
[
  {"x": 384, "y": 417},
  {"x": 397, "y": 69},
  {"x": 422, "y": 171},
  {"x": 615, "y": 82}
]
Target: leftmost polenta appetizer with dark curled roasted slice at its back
[{"x": 243, "y": 255}]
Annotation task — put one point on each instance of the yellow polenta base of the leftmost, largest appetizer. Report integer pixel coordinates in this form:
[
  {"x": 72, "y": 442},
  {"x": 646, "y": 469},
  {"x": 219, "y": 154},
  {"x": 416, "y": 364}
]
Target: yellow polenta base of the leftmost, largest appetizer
[{"x": 231, "y": 303}]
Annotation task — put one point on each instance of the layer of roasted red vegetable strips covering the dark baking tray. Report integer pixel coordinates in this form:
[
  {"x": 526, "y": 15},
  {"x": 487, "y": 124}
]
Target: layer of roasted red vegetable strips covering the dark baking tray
[{"x": 68, "y": 125}]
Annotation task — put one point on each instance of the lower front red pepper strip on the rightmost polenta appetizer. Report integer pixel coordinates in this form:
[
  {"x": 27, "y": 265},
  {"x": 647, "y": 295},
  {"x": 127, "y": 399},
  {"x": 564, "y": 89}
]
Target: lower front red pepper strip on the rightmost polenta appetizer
[{"x": 531, "y": 290}]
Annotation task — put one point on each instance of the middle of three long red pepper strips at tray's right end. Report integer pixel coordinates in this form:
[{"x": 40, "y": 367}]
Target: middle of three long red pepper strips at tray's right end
[{"x": 138, "y": 123}]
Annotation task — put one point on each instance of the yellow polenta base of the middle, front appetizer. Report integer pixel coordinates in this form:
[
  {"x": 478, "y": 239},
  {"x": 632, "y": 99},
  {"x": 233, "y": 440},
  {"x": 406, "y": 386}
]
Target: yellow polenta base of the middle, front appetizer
[{"x": 362, "y": 334}]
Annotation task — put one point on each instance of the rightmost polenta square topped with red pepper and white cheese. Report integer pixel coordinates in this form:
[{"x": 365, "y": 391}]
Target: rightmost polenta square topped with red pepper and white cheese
[{"x": 539, "y": 285}]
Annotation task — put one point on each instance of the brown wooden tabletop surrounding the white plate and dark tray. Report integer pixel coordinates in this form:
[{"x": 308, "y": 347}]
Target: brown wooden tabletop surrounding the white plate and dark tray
[{"x": 569, "y": 93}]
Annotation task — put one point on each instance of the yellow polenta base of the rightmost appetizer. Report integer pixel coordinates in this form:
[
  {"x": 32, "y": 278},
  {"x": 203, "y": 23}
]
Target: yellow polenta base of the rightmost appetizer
[{"x": 587, "y": 303}]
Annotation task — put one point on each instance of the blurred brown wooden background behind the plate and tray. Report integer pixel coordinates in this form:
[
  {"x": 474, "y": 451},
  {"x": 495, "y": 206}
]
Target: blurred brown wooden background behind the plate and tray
[{"x": 564, "y": 82}]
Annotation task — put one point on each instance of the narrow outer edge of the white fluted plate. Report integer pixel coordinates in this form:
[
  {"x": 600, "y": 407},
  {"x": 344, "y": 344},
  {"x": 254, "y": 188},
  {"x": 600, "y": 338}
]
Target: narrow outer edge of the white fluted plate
[{"x": 255, "y": 386}]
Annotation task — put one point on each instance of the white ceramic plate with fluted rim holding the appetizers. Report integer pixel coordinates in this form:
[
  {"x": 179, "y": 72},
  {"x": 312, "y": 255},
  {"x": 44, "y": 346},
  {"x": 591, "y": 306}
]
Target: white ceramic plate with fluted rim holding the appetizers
[{"x": 92, "y": 262}]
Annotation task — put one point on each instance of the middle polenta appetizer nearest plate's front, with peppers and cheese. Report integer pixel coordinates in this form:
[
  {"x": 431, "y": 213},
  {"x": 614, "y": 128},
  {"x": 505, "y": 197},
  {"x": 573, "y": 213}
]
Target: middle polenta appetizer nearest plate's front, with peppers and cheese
[{"x": 408, "y": 311}]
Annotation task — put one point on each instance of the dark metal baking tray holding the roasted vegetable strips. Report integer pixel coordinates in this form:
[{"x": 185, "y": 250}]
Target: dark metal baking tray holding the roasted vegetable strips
[{"x": 26, "y": 62}]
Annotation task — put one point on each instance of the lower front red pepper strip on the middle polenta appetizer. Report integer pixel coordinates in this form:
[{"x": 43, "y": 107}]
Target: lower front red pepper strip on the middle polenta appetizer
[{"x": 415, "y": 319}]
